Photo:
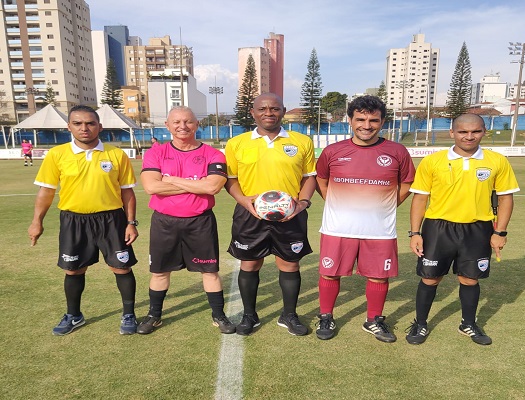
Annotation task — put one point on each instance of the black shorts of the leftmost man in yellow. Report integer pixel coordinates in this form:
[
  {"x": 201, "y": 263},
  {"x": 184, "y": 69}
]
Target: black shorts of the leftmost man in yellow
[{"x": 82, "y": 236}]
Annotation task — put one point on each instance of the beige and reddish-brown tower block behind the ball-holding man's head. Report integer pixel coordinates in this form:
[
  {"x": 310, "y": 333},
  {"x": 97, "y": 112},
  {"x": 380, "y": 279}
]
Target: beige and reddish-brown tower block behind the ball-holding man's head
[{"x": 269, "y": 64}]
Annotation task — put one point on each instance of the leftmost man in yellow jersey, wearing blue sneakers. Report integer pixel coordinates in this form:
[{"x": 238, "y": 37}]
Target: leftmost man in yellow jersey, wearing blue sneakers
[{"x": 97, "y": 204}]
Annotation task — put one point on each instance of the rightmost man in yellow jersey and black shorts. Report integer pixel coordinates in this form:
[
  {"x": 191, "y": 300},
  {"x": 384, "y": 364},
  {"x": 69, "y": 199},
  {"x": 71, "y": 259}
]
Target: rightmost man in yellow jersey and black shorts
[{"x": 457, "y": 229}]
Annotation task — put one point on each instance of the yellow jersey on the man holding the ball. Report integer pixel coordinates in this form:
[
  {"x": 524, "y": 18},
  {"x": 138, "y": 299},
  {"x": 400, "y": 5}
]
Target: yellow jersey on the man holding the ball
[{"x": 261, "y": 164}]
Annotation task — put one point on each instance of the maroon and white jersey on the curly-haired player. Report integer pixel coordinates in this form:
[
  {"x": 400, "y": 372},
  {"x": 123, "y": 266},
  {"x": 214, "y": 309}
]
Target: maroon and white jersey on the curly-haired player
[{"x": 361, "y": 200}]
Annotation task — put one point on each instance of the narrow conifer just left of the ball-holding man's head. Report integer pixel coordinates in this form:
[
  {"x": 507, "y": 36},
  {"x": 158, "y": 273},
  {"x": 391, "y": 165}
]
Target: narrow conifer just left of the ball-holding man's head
[{"x": 247, "y": 94}]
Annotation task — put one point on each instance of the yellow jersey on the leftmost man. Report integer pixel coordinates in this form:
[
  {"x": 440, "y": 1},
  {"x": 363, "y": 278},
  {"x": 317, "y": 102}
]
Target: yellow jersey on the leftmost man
[{"x": 90, "y": 180}]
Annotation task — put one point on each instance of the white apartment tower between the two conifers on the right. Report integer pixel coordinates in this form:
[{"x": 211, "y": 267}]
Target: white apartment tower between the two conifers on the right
[{"x": 411, "y": 74}]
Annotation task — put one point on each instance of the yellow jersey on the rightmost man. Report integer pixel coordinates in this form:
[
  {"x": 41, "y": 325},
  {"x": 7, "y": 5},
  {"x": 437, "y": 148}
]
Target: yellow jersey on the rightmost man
[{"x": 460, "y": 188}]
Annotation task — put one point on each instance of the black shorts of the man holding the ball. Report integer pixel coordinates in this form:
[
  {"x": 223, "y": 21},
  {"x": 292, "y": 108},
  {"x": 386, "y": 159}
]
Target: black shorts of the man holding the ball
[{"x": 254, "y": 239}]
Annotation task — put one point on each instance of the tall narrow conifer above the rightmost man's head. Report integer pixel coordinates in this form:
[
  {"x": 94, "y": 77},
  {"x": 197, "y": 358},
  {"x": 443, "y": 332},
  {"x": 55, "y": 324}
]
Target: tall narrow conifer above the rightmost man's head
[{"x": 458, "y": 99}]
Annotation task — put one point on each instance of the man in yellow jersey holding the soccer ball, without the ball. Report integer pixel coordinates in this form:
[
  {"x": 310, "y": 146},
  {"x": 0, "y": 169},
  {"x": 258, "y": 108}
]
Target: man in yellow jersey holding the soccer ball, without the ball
[{"x": 270, "y": 158}]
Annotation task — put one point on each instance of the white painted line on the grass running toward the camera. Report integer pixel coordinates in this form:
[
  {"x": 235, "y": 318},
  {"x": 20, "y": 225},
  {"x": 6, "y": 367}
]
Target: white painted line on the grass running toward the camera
[{"x": 229, "y": 376}]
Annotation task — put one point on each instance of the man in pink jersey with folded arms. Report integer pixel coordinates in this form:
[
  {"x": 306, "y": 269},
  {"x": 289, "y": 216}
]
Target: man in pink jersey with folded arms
[{"x": 182, "y": 176}]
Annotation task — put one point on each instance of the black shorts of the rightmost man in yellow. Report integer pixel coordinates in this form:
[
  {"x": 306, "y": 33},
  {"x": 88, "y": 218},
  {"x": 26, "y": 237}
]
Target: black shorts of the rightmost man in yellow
[{"x": 466, "y": 246}]
